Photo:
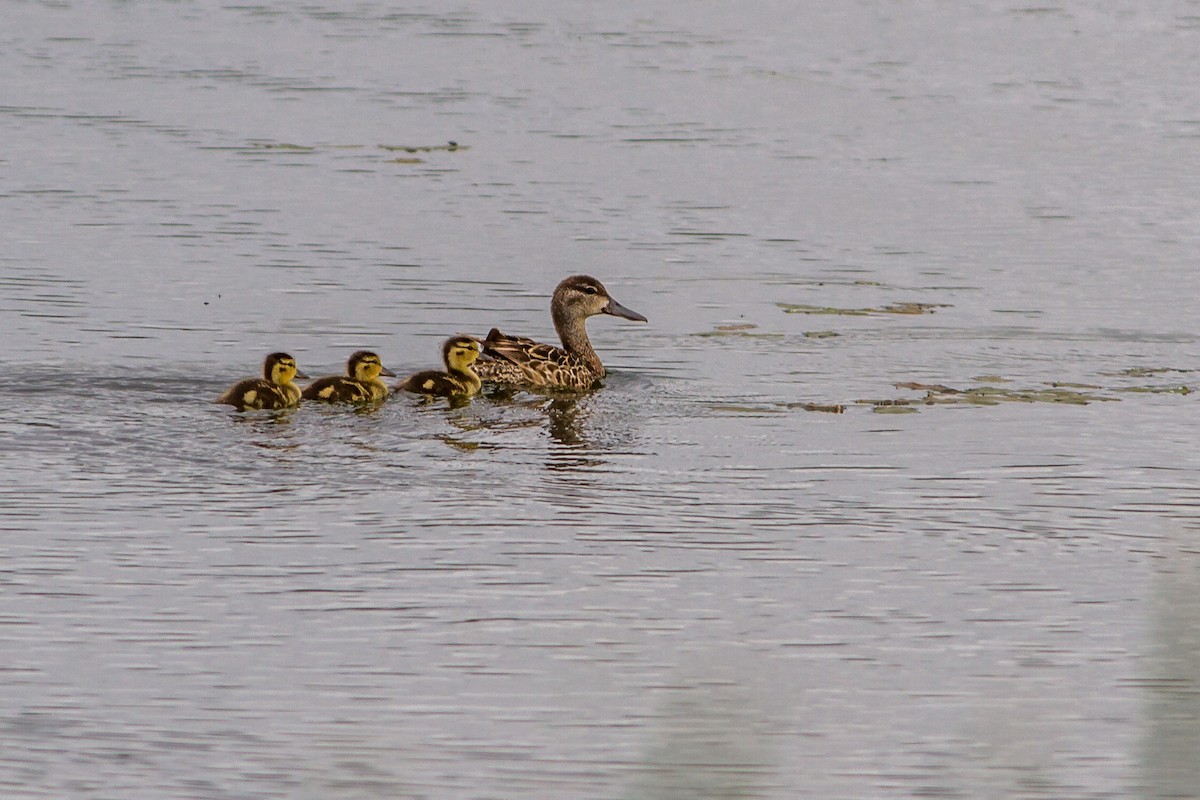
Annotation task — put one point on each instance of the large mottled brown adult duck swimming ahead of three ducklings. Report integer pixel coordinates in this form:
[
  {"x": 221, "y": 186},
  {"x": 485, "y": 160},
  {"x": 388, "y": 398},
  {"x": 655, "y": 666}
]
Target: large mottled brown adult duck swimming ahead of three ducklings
[{"x": 523, "y": 362}]
